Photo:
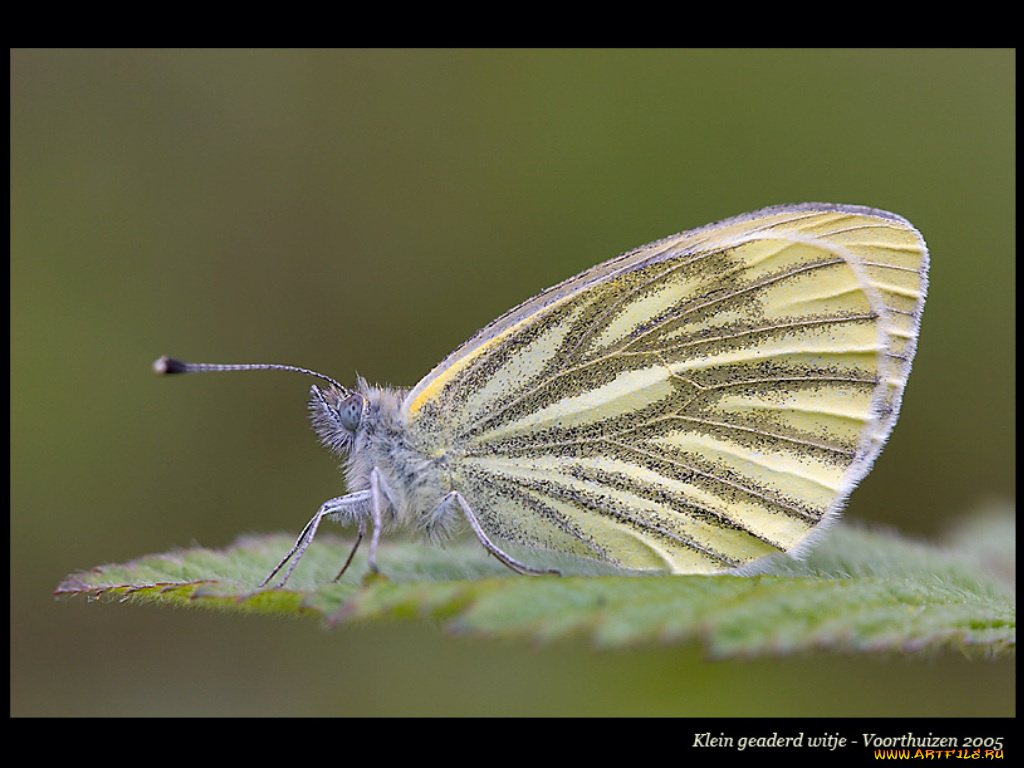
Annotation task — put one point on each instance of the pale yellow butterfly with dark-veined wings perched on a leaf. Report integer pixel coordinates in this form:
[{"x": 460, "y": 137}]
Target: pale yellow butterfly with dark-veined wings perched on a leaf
[{"x": 692, "y": 407}]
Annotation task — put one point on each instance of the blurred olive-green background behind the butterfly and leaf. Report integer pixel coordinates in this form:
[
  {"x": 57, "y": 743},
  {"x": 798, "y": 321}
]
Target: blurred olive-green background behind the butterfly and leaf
[{"x": 370, "y": 210}]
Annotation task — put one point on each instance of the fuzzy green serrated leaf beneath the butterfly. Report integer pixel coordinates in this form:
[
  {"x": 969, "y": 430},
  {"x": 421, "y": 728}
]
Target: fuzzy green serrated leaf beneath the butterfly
[{"x": 860, "y": 591}]
